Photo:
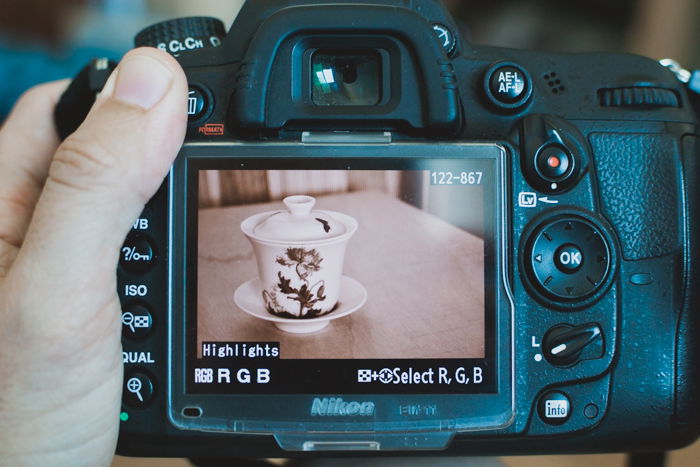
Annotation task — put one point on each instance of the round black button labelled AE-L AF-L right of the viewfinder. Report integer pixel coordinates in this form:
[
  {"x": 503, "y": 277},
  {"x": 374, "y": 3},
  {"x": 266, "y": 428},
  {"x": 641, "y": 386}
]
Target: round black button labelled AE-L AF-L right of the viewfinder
[{"x": 508, "y": 86}]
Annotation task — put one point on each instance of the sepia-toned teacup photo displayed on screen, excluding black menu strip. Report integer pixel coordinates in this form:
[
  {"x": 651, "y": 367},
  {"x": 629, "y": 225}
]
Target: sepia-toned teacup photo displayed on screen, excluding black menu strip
[{"x": 341, "y": 264}]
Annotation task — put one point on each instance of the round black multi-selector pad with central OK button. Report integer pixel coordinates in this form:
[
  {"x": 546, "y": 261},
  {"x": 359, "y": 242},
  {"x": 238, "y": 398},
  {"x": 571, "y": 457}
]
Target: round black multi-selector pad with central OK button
[{"x": 568, "y": 259}]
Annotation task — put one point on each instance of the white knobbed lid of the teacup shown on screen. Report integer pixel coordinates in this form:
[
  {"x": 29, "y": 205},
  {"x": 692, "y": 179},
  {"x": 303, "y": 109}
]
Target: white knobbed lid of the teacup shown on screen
[{"x": 299, "y": 223}]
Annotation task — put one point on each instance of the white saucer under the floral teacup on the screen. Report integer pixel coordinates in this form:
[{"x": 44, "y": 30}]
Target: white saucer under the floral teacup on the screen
[{"x": 249, "y": 299}]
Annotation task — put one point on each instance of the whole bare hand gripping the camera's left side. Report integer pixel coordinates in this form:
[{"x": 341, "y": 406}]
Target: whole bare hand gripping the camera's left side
[{"x": 64, "y": 213}]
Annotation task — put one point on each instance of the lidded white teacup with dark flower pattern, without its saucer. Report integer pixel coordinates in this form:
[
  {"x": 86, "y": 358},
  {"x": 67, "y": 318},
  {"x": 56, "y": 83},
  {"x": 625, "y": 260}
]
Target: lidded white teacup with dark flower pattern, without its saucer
[{"x": 300, "y": 254}]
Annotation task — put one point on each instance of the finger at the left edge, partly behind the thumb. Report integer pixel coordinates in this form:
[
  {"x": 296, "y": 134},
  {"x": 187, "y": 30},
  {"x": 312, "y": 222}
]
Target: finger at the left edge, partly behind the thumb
[{"x": 28, "y": 141}]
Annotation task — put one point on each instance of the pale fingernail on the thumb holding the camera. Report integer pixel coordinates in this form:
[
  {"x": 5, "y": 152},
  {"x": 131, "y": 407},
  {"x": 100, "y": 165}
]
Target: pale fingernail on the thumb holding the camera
[{"x": 142, "y": 81}]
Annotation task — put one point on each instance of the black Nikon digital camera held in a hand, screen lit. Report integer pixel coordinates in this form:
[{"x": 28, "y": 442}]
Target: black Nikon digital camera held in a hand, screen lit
[{"x": 379, "y": 237}]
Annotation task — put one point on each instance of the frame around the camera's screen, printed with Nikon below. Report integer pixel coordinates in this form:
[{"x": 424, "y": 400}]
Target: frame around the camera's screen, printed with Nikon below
[{"x": 279, "y": 413}]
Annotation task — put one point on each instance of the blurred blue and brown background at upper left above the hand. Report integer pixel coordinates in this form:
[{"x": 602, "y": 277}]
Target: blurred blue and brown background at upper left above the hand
[{"x": 46, "y": 40}]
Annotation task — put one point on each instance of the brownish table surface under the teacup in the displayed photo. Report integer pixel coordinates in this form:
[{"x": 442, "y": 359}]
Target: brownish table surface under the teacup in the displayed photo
[{"x": 424, "y": 280}]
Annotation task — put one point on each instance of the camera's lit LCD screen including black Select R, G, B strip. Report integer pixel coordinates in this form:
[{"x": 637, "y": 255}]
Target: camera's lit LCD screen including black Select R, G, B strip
[{"x": 368, "y": 280}]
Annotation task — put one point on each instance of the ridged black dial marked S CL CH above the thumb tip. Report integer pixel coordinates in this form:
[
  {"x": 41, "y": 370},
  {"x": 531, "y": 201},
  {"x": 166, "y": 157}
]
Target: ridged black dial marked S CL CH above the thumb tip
[{"x": 182, "y": 35}]
